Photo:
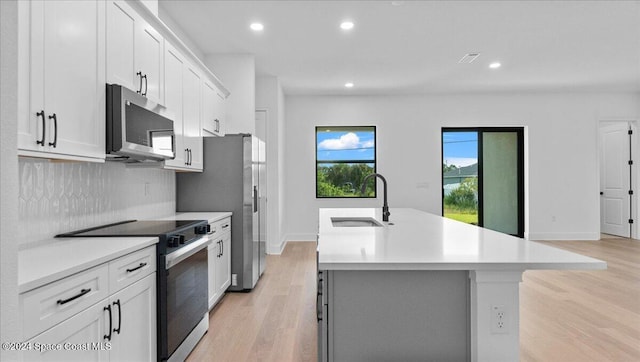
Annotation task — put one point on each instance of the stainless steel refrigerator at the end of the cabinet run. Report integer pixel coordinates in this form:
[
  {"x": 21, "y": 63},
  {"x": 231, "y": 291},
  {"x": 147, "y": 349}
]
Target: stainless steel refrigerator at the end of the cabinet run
[{"x": 232, "y": 180}]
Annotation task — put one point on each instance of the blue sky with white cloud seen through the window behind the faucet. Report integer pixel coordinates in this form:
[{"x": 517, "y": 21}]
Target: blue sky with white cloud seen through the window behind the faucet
[{"x": 345, "y": 145}]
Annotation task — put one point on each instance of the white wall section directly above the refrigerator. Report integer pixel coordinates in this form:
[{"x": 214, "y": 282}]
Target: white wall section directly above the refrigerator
[{"x": 237, "y": 73}]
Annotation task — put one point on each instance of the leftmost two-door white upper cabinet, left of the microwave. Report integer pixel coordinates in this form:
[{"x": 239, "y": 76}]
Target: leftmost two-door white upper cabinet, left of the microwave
[{"x": 62, "y": 110}]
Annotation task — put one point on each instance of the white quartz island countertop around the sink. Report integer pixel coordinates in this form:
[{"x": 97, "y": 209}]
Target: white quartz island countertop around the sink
[{"x": 416, "y": 240}]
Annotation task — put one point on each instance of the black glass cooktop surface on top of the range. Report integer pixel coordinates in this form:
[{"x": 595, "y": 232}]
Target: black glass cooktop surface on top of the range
[{"x": 134, "y": 228}]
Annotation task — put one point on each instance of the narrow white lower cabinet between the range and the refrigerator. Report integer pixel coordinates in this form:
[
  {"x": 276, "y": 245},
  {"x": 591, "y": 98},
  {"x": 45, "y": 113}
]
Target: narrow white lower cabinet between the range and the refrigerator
[{"x": 219, "y": 253}]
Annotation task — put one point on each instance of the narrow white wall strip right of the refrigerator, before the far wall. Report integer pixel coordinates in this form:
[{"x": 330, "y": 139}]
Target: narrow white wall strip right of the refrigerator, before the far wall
[{"x": 269, "y": 97}]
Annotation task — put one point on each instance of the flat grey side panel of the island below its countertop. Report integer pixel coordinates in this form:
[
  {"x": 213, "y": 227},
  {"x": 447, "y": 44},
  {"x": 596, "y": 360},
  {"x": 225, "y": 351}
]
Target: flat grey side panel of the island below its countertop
[{"x": 399, "y": 315}]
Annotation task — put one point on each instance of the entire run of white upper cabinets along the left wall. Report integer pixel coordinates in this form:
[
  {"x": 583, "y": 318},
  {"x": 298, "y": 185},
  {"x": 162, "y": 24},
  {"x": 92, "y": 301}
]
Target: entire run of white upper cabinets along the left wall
[{"x": 69, "y": 50}]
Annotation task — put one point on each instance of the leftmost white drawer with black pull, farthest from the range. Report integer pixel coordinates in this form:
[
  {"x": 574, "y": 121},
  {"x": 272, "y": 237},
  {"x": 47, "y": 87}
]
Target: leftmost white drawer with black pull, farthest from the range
[{"x": 53, "y": 303}]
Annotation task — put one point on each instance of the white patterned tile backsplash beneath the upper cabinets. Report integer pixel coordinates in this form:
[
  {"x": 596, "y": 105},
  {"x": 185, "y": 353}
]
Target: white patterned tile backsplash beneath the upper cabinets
[{"x": 58, "y": 197}]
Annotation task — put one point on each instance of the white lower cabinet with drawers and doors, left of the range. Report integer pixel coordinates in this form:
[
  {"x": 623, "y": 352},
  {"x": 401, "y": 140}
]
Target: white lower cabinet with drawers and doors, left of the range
[{"x": 119, "y": 327}]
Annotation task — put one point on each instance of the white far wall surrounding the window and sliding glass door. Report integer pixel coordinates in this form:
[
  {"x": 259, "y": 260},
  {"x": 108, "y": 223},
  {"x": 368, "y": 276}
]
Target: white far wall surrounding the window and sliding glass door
[{"x": 562, "y": 151}]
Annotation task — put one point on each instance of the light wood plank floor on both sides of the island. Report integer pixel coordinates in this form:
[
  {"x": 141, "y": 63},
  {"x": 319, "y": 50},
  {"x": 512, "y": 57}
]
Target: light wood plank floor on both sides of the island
[{"x": 565, "y": 315}]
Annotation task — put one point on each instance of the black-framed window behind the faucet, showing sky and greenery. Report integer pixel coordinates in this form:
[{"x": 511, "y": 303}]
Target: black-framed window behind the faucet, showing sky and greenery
[{"x": 344, "y": 157}]
